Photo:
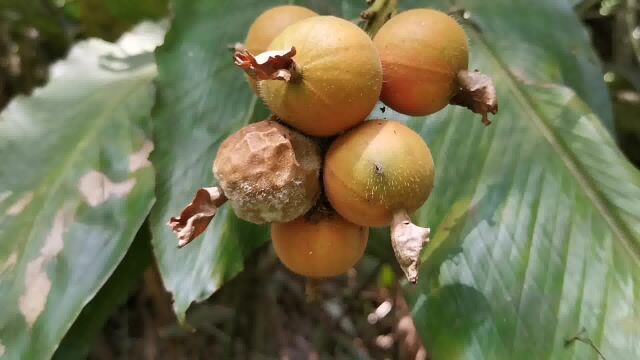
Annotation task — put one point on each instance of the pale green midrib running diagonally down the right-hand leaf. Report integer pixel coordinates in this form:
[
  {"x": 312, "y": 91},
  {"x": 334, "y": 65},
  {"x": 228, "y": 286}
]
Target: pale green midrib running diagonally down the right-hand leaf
[{"x": 619, "y": 229}]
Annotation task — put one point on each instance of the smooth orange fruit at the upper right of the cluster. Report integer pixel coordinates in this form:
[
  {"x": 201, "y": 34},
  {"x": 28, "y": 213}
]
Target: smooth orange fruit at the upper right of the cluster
[{"x": 421, "y": 51}]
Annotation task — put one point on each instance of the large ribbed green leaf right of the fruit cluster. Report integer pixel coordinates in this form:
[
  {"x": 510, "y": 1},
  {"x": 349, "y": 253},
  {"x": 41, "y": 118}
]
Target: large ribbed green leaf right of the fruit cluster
[{"x": 536, "y": 218}]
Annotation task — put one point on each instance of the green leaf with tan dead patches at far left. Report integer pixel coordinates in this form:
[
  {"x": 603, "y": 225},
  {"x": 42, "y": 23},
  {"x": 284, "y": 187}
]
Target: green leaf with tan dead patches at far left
[{"x": 75, "y": 186}]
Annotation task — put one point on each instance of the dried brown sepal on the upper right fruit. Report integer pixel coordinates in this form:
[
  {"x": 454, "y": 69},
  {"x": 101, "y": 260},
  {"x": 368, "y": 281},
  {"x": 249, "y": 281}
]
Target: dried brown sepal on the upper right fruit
[{"x": 477, "y": 93}]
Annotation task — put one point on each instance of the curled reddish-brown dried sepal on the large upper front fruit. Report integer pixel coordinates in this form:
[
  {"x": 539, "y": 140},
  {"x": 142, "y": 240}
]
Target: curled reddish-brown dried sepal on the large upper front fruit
[{"x": 269, "y": 65}]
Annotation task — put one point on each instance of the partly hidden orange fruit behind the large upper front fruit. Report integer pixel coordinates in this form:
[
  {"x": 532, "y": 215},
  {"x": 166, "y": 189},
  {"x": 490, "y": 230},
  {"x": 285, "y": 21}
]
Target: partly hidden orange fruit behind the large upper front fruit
[{"x": 269, "y": 25}]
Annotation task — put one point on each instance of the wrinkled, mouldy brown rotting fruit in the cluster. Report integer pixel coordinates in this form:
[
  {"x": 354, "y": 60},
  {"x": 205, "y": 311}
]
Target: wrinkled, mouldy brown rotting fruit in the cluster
[{"x": 269, "y": 172}]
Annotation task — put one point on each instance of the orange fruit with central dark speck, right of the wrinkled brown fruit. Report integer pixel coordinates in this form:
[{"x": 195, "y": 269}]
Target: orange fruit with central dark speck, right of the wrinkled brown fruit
[{"x": 376, "y": 169}]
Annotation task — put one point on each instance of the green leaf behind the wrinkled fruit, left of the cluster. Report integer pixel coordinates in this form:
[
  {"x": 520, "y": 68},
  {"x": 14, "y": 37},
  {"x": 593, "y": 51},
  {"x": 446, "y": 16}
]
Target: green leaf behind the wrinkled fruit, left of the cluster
[{"x": 202, "y": 98}]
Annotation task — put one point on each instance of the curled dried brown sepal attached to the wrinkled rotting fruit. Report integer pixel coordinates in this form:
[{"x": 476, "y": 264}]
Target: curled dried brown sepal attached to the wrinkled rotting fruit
[{"x": 195, "y": 218}]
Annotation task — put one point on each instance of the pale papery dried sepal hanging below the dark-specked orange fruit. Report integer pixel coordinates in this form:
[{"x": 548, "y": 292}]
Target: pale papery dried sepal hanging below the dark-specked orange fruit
[{"x": 408, "y": 240}]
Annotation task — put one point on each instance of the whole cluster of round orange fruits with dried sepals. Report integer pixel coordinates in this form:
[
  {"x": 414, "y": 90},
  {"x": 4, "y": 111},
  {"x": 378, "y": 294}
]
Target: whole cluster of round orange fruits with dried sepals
[{"x": 317, "y": 171}]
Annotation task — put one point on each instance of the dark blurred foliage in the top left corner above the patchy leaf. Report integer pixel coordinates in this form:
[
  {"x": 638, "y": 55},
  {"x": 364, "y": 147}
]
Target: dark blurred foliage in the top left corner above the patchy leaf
[{"x": 35, "y": 33}]
